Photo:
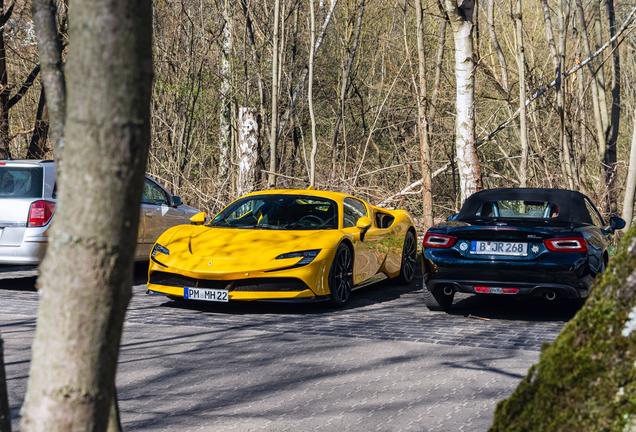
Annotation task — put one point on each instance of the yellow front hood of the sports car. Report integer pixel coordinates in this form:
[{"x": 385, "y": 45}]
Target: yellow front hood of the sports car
[{"x": 223, "y": 250}]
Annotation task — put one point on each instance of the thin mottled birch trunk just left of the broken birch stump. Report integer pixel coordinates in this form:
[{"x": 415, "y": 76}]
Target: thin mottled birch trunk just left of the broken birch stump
[{"x": 225, "y": 120}]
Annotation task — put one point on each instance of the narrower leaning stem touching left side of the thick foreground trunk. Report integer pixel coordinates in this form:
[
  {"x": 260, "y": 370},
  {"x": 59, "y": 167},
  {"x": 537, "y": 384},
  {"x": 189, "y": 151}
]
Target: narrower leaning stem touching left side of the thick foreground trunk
[{"x": 53, "y": 79}]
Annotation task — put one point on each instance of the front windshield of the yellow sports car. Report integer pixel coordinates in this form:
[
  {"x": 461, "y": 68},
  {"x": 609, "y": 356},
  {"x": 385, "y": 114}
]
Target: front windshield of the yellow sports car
[{"x": 284, "y": 212}]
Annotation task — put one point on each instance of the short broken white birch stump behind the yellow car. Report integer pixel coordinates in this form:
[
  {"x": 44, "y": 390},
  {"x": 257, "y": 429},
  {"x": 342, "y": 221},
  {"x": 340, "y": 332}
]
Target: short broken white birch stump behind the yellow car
[{"x": 248, "y": 150}]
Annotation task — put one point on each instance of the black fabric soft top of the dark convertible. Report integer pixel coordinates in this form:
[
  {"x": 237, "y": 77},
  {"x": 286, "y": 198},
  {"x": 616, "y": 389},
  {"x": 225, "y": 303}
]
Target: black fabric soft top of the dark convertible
[{"x": 571, "y": 204}]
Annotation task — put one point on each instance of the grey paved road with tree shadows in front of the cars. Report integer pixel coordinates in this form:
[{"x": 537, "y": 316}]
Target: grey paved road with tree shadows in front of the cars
[{"x": 382, "y": 363}]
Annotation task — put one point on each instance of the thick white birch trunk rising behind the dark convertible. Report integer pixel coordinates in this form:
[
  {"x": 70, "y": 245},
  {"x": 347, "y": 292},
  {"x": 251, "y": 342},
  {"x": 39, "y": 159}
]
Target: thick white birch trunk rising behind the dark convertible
[{"x": 460, "y": 17}]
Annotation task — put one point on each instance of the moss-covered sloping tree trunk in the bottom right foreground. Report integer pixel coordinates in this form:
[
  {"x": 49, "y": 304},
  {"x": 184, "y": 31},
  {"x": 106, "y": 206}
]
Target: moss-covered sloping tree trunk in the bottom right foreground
[{"x": 585, "y": 379}]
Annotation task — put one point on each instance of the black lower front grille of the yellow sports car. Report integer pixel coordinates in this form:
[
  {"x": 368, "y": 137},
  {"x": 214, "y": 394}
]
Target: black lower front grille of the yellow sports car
[{"x": 257, "y": 284}]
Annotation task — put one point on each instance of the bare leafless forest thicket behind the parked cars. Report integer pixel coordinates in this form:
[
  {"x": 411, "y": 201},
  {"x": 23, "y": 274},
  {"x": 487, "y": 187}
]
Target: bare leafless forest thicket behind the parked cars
[{"x": 361, "y": 102}]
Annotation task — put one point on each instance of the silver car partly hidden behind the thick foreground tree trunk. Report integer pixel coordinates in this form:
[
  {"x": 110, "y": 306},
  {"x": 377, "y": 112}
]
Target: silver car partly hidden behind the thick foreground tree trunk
[{"x": 27, "y": 205}]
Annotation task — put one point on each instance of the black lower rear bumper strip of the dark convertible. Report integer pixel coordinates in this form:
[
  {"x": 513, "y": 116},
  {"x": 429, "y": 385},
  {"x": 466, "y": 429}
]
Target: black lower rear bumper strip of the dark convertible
[{"x": 524, "y": 289}]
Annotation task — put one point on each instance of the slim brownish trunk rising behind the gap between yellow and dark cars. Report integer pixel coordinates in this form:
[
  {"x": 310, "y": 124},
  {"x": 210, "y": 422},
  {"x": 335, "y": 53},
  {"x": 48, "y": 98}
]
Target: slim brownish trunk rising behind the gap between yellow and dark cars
[{"x": 422, "y": 124}]
